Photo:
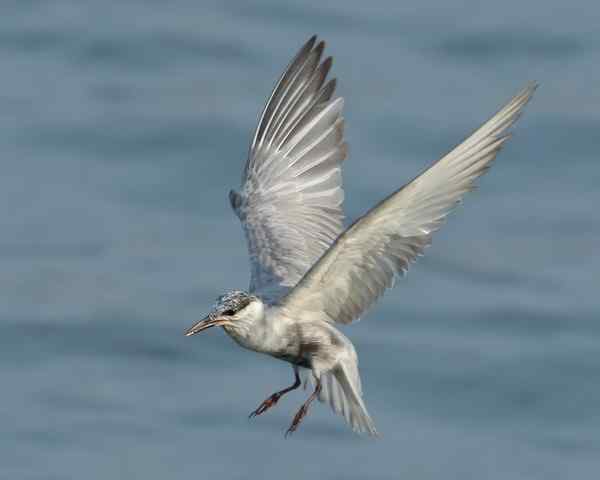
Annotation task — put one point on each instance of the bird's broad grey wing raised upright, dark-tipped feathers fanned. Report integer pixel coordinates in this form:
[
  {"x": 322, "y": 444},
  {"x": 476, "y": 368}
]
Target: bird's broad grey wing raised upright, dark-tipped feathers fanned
[{"x": 290, "y": 202}]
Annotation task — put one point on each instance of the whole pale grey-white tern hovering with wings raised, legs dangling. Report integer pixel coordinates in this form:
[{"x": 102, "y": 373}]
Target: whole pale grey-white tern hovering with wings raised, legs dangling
[{"x": 308, "y": 273}]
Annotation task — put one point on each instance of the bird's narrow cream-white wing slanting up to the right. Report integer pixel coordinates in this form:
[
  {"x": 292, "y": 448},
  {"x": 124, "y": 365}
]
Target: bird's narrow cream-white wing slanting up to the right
[{"x": 381, "y": 245}]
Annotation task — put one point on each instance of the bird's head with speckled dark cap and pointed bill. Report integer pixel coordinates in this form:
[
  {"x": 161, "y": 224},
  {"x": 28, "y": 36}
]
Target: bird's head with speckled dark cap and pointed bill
[{"x": 230, "y": 310}]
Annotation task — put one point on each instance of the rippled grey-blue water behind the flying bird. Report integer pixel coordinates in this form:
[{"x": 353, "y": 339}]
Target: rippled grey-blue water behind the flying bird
[{"x": 123, "y": 124}]
